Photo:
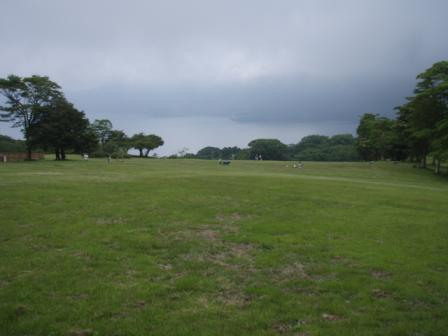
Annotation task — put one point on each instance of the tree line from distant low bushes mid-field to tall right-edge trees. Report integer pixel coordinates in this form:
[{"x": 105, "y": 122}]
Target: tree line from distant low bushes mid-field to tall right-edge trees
[{"x": 418, "y": 132}]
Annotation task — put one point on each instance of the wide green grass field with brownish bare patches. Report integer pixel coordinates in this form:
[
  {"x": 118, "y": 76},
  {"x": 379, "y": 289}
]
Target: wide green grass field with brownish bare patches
[{"x": 189, "y": 247}]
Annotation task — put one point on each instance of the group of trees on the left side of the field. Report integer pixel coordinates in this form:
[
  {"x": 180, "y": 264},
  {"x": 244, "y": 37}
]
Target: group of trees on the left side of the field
[{"x": 49, "y": 121}]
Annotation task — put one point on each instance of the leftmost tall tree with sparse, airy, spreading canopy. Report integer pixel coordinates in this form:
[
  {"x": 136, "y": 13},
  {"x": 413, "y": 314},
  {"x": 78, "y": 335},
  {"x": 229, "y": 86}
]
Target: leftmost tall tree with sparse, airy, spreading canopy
[{"x": 25, "y": 99}]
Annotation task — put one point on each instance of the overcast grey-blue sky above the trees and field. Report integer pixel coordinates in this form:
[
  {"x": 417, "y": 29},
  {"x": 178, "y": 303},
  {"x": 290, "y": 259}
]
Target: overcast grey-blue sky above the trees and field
[{"x": 221, "y": 73}]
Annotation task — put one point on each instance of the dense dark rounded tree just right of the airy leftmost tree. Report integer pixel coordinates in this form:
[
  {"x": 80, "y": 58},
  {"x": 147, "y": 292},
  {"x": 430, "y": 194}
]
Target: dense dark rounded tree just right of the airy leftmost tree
[{"x": 62, "y": 127}]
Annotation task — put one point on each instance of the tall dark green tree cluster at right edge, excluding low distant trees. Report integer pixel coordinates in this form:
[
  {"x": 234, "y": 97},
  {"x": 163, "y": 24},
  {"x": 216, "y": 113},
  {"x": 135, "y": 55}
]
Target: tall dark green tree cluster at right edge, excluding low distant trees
[{"x": 420, "y": 129}]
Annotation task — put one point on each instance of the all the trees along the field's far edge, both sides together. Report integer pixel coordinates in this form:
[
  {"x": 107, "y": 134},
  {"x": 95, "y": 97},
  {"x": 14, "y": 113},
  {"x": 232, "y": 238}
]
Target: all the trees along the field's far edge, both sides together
[{"x": 418, "y": 132}]
